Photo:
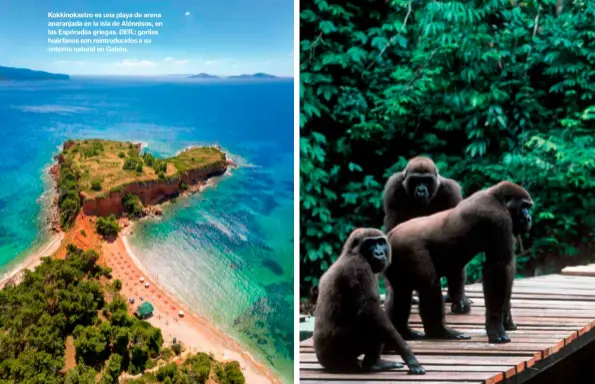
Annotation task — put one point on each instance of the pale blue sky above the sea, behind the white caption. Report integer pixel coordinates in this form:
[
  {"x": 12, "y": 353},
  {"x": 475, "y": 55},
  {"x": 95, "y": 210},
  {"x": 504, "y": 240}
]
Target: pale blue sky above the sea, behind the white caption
[{"x": 220, "y": 37}]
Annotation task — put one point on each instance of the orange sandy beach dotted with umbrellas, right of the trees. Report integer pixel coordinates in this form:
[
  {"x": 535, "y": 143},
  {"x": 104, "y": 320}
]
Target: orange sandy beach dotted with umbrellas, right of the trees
[{"x": 195, "y": 331}]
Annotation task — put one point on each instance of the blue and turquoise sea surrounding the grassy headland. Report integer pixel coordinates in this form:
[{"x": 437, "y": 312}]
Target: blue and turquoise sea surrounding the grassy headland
[{"x": 227, "y": 252}]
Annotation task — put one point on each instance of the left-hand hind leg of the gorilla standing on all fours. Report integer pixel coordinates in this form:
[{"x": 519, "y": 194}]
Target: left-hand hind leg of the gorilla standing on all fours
[{"x": 398, "y": 308}]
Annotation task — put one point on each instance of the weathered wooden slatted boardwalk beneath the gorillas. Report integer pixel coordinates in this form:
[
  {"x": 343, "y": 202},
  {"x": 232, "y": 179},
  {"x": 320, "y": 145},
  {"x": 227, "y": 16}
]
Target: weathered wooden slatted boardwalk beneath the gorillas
[{"x": 555, "y": 316}]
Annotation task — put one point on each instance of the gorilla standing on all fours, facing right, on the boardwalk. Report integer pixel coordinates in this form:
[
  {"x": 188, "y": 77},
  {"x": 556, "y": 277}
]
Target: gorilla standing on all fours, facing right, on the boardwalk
[{"x": 427, "y": 248}]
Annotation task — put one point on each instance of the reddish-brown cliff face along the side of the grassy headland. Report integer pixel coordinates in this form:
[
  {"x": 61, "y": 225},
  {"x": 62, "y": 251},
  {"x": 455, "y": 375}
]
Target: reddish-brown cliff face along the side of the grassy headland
[{"x": 149, "y": 192}]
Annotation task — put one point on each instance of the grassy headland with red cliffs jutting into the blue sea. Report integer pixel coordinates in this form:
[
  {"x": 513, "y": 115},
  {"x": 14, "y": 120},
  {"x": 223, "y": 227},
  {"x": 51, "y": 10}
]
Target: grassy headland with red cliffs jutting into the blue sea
[{"x": 114, "y": 178}]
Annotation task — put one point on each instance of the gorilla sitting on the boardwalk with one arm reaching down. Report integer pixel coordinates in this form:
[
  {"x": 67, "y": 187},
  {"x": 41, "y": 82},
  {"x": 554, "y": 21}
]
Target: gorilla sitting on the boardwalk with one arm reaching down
[{"x": 349, "y": 320}]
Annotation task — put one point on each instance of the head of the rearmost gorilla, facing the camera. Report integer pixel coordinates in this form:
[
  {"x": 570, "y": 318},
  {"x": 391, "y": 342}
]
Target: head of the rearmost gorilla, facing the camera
[{"x": 421, "y": 179}]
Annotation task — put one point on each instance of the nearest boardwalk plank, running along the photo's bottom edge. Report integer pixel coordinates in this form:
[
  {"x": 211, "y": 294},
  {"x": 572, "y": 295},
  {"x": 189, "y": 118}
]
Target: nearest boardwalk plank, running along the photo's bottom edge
[{"x": 402, "y": 375}]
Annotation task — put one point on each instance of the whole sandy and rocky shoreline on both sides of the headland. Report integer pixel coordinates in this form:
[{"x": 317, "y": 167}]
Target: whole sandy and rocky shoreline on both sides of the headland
[{"x": 195, "y": 332}]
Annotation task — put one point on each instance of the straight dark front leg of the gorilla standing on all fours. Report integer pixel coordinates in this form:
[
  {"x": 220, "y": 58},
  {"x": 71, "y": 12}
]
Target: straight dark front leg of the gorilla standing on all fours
[{"x": 497, "y": 285}]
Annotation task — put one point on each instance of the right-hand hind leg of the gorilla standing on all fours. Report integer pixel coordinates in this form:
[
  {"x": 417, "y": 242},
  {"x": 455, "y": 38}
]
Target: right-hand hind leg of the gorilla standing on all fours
[{"x": 431, "y": 310}]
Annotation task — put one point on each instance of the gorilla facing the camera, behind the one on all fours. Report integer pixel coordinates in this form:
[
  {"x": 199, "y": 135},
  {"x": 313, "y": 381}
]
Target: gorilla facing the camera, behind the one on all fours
[{"x": 419, "y": 190}]
